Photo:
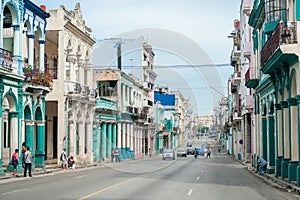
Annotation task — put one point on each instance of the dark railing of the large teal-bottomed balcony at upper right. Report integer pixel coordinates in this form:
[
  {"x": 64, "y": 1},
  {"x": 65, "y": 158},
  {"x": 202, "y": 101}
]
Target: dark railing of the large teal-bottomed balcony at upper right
[{"x": 281, "y": 35}]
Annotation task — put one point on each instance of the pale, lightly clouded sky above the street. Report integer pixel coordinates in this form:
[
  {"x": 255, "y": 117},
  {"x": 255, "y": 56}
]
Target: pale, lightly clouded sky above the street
[{"x": 189, "y": 38}]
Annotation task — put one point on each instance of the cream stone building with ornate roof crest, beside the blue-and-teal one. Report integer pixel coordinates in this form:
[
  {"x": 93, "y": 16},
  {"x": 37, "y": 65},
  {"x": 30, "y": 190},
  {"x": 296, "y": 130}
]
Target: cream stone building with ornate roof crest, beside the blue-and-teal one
[{"x": 70, "y": 105}]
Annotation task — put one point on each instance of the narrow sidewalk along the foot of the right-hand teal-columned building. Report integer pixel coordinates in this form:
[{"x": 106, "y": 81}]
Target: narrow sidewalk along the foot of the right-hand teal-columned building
[{"x": 271, "y": 179}]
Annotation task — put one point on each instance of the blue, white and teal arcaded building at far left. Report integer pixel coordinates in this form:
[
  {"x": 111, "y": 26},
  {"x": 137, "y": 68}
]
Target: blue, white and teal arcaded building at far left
[{"x": 22, "y": 112}]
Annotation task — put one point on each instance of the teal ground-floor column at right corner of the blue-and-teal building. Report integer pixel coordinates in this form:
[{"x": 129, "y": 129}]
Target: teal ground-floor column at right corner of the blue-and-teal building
[{"x": 40, "y": 145}]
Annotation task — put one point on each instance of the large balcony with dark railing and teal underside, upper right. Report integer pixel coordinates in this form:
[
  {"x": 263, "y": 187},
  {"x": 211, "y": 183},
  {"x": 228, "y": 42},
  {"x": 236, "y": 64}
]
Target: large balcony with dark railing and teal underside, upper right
[{"x": 279, "y": 50}]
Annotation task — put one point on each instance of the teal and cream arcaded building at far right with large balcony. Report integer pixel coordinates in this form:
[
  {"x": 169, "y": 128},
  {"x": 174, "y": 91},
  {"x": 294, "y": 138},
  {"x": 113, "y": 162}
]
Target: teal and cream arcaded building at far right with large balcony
[{"x": 277, "y": 101}]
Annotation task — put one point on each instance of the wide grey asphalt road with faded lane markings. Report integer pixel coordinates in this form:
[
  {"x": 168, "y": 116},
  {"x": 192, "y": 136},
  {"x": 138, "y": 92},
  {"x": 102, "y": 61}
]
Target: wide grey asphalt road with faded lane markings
[{"x": 218, "y": 177}]
